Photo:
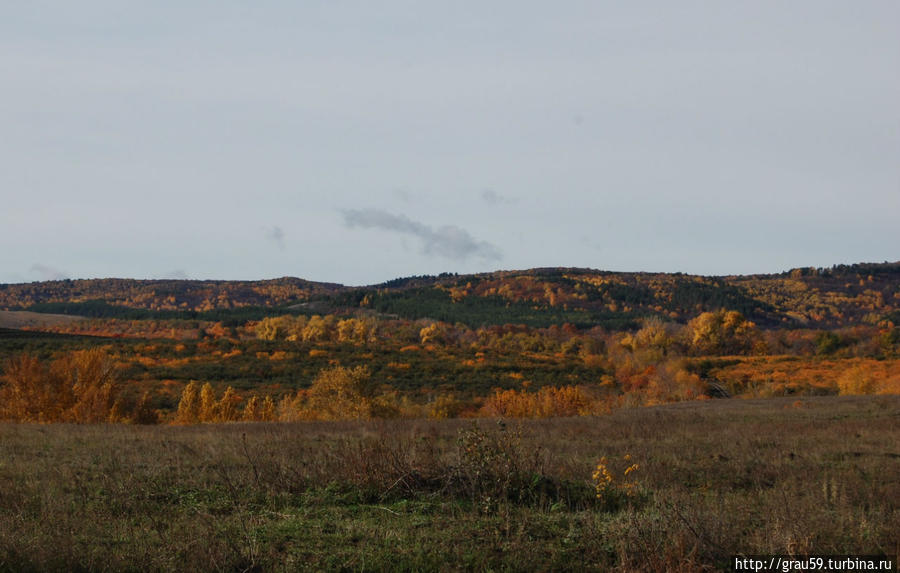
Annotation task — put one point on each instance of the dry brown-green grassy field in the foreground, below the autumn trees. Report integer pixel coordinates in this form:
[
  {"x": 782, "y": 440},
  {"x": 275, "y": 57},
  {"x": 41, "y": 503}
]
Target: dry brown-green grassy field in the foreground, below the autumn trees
[{"x": 714, "y": 478}]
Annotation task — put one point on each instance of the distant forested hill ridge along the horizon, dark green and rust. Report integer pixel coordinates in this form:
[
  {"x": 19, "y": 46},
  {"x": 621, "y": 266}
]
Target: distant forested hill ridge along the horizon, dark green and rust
[{"x": 844, "y": 295}]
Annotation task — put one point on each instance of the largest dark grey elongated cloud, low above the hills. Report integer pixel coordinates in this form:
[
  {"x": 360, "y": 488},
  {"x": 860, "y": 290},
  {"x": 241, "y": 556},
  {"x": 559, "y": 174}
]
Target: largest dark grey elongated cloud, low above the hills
[{"x": 447, "y": 241}]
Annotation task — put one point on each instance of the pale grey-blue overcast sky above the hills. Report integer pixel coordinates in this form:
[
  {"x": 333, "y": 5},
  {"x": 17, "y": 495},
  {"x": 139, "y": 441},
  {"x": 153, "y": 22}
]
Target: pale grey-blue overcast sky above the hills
[{"x": 356, "y": 142}]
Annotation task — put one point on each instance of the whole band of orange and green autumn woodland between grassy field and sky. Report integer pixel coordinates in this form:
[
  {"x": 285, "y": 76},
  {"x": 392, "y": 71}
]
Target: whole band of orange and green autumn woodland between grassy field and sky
[{"x": 538, "y": 343}]
